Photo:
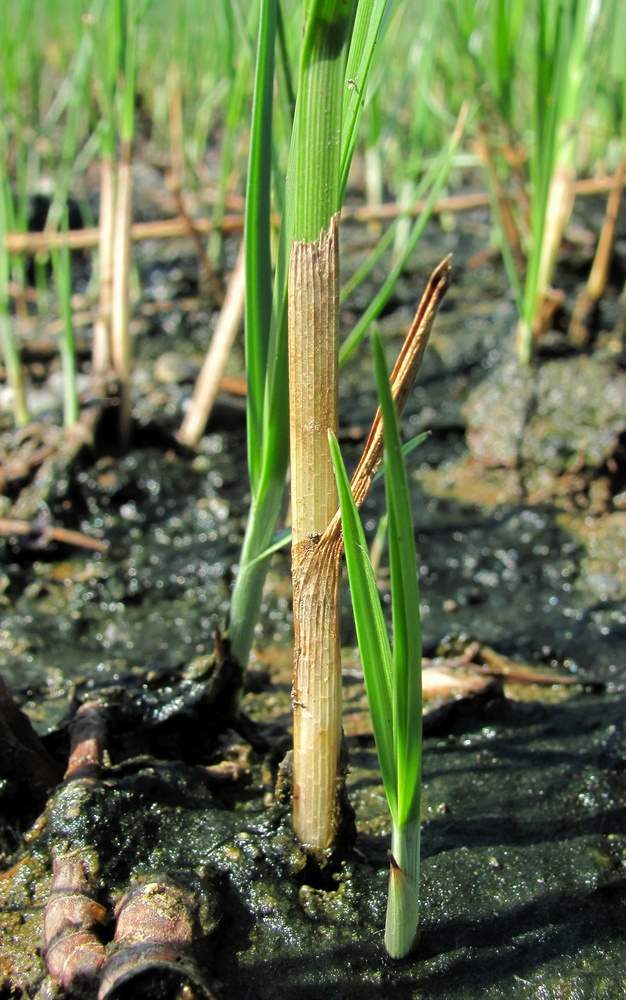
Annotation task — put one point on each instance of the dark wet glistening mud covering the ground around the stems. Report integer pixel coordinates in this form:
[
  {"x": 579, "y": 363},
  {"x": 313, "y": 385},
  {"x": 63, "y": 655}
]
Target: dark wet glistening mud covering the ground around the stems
[{"x": 521, "y": 535}]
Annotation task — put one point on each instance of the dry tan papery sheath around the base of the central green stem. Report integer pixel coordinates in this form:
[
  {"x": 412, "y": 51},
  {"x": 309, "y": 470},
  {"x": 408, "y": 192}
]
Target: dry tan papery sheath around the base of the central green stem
[{"x": 313, "y": 307}]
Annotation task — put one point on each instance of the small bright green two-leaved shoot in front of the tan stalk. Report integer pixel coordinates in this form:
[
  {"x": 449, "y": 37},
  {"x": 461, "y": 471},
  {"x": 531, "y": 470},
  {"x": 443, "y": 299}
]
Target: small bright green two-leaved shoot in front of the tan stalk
[{"x": 393, "y": 674}]
